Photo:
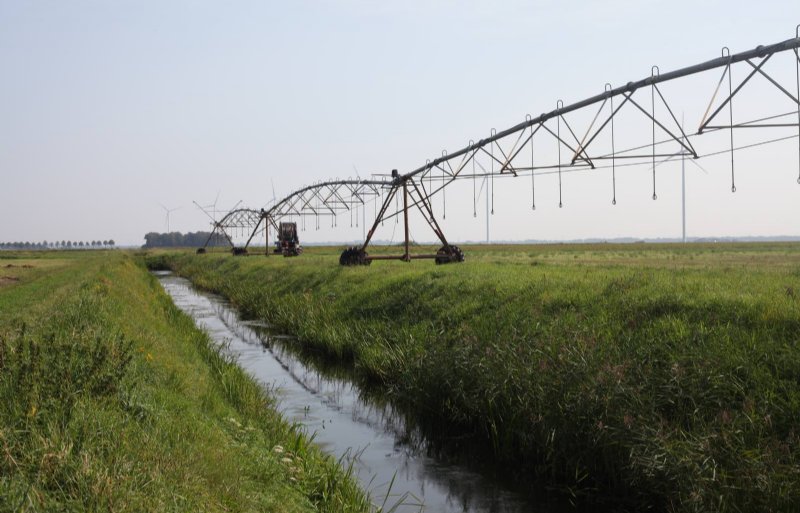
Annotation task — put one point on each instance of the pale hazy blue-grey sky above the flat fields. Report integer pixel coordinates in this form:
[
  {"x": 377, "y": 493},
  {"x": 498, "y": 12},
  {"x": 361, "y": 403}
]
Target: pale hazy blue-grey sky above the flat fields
[{"x": 108, "y": 108}]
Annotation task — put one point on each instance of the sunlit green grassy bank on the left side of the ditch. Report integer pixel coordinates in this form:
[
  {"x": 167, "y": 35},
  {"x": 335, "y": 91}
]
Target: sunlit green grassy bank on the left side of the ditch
[{"x": 112, "y": 399}]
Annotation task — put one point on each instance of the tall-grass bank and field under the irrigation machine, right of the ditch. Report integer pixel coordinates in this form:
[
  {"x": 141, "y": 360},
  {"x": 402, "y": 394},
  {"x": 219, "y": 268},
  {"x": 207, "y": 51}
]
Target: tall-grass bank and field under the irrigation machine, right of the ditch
[{"x": 666, "y": 376}]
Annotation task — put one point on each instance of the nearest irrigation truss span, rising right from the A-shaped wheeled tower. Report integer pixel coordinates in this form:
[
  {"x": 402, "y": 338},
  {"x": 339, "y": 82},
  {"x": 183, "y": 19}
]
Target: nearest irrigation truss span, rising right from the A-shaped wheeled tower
[{"x": 511, "y": 152}]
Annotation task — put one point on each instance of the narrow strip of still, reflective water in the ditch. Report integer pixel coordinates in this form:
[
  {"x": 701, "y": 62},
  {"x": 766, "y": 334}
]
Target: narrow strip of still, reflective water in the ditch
[{"x": 390, "y": 456}]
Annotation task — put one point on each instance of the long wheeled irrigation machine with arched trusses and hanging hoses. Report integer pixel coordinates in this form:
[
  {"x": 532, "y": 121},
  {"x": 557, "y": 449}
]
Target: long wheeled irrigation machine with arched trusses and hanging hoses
[{"x": 603, "y": 142}]
